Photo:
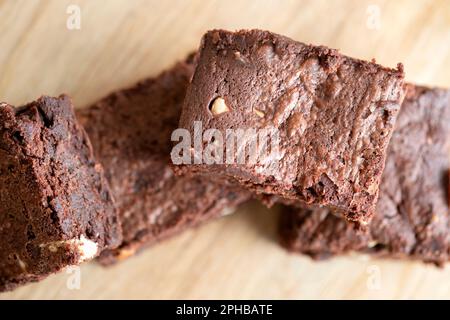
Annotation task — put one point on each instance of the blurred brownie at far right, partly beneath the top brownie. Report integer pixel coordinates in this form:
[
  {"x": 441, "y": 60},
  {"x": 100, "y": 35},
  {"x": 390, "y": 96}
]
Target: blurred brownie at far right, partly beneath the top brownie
[{"x": 412, "y": 217}]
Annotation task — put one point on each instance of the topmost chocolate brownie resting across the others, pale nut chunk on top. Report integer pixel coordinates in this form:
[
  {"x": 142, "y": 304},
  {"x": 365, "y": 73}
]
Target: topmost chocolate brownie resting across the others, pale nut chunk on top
[{"x": 334, "y": 116}]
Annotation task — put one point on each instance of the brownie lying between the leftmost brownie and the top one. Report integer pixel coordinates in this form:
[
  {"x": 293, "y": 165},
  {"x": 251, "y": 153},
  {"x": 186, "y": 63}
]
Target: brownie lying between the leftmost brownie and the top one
[{"x": 130, "y": 131}]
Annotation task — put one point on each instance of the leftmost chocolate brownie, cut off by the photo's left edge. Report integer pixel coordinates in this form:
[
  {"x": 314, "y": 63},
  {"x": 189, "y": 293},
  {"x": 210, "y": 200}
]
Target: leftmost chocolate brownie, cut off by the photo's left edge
[{"x": 55, "y": 205}]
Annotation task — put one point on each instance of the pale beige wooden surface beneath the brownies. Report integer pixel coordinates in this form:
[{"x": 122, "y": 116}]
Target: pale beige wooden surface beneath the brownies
[{"x": 122, "y": 41}]
